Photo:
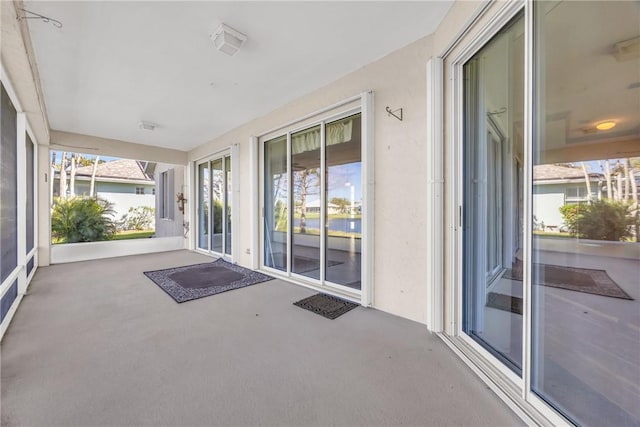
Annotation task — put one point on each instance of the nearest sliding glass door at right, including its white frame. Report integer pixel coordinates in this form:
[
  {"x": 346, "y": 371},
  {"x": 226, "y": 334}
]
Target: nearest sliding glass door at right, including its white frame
[{"x": 543, "y": 248}]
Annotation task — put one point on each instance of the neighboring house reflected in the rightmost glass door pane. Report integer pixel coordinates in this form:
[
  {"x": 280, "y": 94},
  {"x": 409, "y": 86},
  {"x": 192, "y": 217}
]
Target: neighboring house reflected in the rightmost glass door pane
[{"x": 555, "y": 186}]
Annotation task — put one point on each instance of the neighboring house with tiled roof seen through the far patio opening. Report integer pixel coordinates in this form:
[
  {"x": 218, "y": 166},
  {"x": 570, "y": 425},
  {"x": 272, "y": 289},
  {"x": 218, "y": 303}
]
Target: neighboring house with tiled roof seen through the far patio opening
[{"x": 126, "y": 183}]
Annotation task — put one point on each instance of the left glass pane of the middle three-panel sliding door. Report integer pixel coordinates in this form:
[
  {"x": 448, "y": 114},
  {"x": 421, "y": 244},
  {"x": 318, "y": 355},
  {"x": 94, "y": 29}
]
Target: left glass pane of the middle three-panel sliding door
[{"x": 276, "y": 214}]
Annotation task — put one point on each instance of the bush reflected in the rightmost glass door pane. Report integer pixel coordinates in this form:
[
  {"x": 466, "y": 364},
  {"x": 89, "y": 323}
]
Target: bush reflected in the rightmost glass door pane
[{"x": 600, "y": 220}]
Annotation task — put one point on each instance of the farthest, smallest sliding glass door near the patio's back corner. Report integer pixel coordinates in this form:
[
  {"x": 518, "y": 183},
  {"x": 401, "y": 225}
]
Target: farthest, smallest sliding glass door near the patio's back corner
[{"x": 214, "y": 206}]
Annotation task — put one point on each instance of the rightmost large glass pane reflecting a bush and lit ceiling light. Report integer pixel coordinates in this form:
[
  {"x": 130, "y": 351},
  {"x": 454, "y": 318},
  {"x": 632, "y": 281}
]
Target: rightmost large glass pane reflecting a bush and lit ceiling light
[{"x": 586, "y": 271}]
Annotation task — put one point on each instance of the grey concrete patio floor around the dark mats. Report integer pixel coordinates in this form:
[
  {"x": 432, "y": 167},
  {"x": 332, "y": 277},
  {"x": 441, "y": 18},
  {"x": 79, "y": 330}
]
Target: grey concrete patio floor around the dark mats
[{"x": 97, "y": 343}]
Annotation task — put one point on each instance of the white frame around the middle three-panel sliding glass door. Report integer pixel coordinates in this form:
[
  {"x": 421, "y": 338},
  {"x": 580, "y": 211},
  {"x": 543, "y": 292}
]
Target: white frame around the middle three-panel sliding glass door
[{"x": 363, "y": 104}]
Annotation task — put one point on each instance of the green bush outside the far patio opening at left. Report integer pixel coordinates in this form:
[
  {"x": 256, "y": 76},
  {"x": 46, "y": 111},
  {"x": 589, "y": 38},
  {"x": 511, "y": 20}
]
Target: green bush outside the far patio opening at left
[{"x": 82, "y": 220}]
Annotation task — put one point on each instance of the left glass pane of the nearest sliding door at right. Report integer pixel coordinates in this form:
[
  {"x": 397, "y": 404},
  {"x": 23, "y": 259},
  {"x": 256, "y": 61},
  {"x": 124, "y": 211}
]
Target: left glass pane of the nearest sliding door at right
[{"x": 493, "y": 195}]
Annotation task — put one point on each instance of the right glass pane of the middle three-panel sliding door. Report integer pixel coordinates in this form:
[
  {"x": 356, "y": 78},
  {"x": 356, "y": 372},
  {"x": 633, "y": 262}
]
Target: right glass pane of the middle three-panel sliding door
[{"x": 343, "y": 202}]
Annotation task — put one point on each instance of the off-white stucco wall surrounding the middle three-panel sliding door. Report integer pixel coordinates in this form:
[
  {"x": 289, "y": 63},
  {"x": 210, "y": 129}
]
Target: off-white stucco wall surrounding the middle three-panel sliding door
[{"x": 399, "y": 81}]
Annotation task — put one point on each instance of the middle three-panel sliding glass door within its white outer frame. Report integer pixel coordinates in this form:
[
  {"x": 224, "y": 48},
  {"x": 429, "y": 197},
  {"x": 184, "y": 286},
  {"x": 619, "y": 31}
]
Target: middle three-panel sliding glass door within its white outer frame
[{"x": 312, "y": 199}]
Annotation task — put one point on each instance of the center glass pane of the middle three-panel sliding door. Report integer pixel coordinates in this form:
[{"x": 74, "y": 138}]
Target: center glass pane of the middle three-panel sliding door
[{"x": 306, "y": 202}]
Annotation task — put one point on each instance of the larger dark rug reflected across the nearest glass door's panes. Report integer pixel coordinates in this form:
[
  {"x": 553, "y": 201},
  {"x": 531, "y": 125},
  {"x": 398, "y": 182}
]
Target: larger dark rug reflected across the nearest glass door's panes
[{"x": 587, "y": 280}]
